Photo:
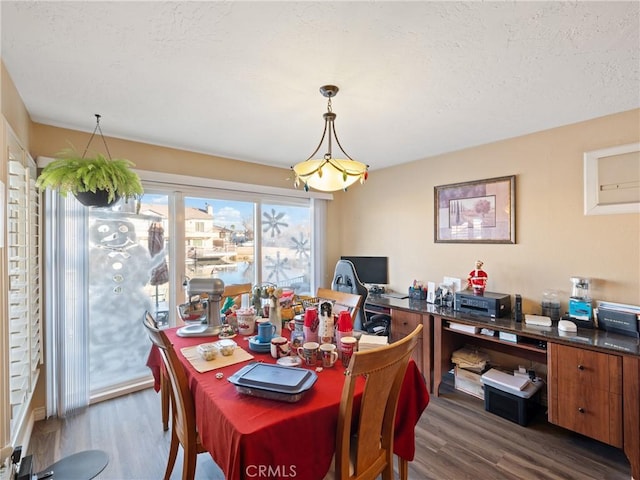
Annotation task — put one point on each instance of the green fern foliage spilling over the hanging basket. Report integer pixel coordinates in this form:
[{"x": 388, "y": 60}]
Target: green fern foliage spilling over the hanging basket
[{"x": 76, "y": 174}]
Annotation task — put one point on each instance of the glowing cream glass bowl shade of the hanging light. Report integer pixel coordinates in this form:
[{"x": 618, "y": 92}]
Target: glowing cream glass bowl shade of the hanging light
[{"x": 330, "y": 175}]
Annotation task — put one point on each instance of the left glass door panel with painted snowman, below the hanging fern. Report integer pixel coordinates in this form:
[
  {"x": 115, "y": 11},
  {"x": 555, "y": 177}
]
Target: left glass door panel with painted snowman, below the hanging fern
[{"x": 128, "y": 274}]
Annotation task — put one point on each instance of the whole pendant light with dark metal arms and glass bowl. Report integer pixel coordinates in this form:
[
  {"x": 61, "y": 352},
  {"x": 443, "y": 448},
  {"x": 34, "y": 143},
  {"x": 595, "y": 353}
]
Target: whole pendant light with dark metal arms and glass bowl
[{"x": 329, "y": 174}]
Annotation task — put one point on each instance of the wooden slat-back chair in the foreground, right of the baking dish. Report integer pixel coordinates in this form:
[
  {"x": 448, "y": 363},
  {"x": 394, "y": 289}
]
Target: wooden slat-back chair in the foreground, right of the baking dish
[{"x": 364, "y": 437}]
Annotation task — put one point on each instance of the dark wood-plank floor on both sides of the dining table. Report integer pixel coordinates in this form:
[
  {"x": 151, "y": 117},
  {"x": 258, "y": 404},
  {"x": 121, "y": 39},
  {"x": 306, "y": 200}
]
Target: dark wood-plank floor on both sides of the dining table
[{"x": 456, "y": 439}]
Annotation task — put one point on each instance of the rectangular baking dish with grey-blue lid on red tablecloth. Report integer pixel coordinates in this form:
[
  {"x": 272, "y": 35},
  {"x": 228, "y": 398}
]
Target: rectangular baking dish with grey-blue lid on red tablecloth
[{"x": 276, "y": 382}]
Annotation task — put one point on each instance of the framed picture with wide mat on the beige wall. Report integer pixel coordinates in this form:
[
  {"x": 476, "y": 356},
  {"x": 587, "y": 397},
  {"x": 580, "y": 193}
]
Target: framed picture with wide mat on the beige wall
[{"x": 480, "y": 211}]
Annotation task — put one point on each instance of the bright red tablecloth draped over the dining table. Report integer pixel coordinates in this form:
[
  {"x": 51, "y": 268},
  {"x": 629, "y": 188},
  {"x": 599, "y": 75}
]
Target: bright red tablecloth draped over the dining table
[{"x": 251, "y": 437}]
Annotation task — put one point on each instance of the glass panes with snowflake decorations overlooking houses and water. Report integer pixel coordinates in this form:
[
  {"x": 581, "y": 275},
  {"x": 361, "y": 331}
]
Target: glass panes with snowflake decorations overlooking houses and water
[{"x": 220, "y": 241}]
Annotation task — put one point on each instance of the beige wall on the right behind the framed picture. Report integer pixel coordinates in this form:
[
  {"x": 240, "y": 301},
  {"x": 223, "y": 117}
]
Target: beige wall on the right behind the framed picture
[{"x": 393, "y": 215}]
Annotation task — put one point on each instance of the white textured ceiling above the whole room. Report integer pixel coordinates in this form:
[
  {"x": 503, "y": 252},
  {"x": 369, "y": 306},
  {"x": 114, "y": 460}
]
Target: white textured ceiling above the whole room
[{"x": 241, "y": 79}]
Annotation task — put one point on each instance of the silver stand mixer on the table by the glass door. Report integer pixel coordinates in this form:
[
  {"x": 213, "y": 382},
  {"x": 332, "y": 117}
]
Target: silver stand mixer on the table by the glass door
[{"x": 201, "y": 313}]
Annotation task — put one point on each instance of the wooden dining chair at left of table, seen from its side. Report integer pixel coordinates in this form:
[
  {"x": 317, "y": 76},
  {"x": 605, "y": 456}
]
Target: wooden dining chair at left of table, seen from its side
[{"x": 183, "y": 420}]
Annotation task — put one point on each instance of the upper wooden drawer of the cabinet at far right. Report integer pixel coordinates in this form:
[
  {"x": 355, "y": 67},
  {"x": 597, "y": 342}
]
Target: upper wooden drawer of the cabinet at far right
[{"x": 591, "y": 369}]
